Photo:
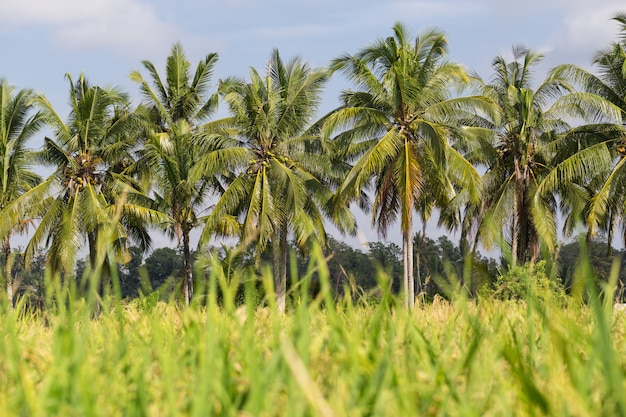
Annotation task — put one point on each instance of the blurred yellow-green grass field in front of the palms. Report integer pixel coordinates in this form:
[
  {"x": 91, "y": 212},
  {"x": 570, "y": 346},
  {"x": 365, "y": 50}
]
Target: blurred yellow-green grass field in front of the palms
[{"x": 467, "y": 358}]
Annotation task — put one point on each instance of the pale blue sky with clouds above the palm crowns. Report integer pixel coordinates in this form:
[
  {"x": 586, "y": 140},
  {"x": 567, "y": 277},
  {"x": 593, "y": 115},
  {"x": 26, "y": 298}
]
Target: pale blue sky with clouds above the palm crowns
[{"x": 106, "y": 39}]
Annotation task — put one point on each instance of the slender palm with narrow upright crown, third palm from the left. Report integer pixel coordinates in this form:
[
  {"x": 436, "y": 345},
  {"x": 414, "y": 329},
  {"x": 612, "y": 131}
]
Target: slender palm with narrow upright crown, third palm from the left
[{"x": 176, "y": 153}]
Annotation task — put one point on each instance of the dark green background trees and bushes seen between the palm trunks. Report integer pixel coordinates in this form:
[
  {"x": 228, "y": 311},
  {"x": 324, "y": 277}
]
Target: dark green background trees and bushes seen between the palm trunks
[{"x": 359, "y": 274}]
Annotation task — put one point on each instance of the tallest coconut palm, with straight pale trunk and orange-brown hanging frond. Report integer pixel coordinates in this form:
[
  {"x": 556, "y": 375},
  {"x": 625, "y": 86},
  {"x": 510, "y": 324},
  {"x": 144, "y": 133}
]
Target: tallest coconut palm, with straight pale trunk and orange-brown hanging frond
[{"x": 400, "y": 120}]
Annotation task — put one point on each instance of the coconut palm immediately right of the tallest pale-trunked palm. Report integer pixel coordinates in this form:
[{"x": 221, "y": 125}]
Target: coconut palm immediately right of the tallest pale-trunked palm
[{"x": 530, "y": 155}]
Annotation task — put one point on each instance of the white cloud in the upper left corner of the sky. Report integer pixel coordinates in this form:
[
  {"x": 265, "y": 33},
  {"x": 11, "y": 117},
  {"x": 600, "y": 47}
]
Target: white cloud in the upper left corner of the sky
[{"x": 122, "y": 24}]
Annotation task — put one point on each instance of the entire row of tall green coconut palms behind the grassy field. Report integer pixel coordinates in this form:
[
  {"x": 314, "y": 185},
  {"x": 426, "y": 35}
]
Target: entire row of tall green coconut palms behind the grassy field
[{"x": 499, "y": 159}]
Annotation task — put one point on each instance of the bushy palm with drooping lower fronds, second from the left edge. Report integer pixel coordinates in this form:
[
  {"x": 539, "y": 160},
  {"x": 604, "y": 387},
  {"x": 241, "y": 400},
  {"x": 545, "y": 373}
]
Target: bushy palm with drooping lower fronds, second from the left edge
[{"x": 81, "y": 200}]
